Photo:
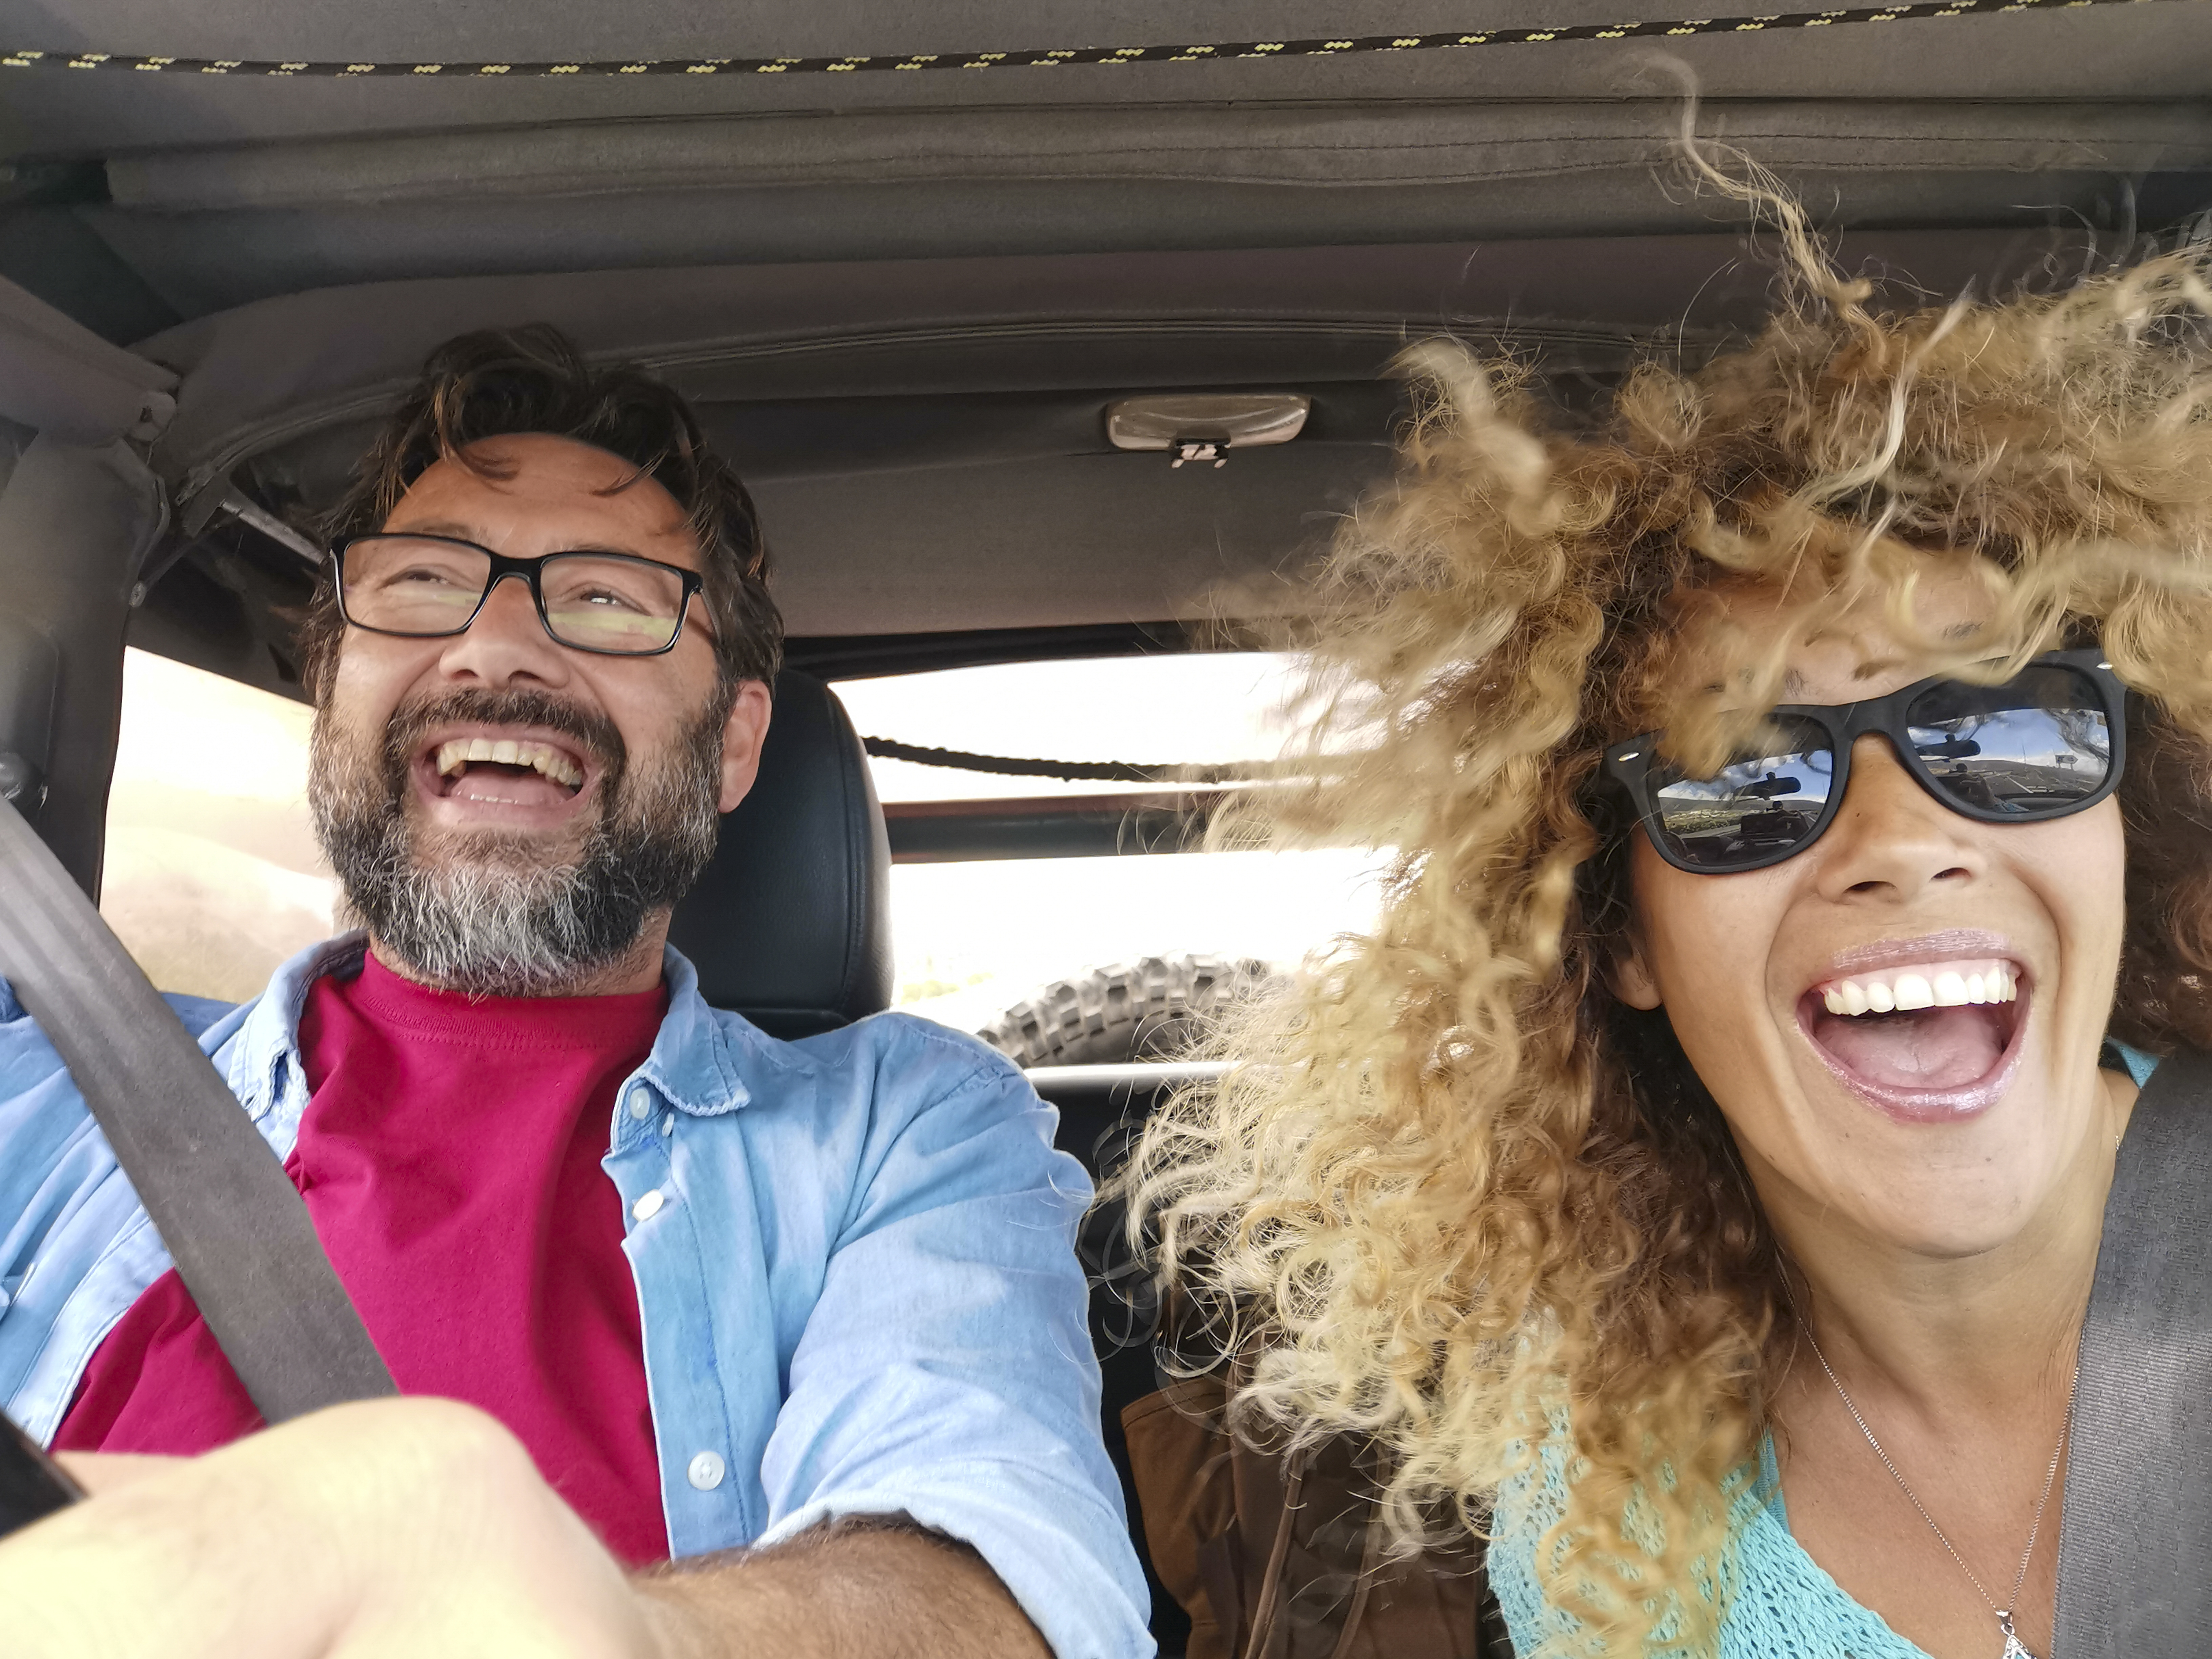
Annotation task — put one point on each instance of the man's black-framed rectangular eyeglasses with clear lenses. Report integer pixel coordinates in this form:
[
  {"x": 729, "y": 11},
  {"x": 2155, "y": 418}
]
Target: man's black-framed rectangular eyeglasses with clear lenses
[{"x": 432, "y": 587}]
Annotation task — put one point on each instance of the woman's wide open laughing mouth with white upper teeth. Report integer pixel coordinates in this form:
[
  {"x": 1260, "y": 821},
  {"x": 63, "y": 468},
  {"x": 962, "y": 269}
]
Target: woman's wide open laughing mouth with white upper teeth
[{"x": 1921, "y": 1041}]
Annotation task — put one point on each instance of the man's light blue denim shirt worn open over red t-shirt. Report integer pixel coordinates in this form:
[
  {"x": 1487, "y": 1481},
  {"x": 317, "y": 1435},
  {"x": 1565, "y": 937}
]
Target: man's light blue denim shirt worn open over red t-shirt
[{"x": 859, "y": 1286}]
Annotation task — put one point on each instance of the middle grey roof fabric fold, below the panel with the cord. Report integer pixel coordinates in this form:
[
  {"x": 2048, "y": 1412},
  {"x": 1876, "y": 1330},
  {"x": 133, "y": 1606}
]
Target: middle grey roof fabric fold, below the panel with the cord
[{"x": 1333, "y": 145}]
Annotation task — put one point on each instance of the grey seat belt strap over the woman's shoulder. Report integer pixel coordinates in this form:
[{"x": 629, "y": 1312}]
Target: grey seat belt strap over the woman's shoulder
[{"x": 2136, "y": 1534}]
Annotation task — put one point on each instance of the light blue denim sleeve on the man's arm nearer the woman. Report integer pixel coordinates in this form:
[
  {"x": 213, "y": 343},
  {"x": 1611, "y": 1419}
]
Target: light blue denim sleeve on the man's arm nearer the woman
[{"x": 948, "y": 1368}]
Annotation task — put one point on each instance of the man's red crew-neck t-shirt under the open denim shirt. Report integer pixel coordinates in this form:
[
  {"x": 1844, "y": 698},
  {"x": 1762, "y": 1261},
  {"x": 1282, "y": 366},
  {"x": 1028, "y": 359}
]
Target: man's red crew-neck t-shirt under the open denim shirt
[{"x": 450, "y": 1158}]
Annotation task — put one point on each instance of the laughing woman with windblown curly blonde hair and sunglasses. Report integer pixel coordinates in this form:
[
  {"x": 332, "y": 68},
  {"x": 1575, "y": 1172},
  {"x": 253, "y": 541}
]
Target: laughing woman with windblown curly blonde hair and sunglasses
[{"x": 1799, "y": 791}]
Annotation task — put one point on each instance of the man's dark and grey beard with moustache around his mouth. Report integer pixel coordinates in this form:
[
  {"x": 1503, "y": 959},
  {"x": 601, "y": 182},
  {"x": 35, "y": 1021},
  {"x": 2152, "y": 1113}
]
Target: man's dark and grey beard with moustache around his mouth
[{"x": 488, "y": 912}]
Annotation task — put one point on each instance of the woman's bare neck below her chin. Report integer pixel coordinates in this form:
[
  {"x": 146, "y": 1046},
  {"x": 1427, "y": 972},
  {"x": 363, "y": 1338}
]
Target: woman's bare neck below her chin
[{"x": 1954, "y": 1335}]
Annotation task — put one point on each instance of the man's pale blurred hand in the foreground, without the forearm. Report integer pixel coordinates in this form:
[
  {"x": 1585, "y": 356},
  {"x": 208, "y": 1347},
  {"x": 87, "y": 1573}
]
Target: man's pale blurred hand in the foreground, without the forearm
[{"x": 399, "y": 1530}]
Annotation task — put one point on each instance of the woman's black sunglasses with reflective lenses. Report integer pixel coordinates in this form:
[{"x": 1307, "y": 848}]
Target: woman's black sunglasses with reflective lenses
[{"x": 2043, "y": 744}]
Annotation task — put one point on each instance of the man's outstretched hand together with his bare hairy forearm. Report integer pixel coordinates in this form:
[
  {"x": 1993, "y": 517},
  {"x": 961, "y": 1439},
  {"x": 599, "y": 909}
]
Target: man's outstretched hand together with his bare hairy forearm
[{"x": 417, "y": 1530}]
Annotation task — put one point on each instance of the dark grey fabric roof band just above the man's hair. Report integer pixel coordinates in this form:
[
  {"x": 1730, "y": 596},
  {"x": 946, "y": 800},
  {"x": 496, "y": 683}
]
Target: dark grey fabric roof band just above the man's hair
[{"x": 271, "y": 373}]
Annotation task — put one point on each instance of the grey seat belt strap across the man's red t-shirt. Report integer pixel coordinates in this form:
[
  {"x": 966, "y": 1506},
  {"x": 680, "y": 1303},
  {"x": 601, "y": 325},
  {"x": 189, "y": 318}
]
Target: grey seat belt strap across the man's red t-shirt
[{"x": 231, "y": 1218}]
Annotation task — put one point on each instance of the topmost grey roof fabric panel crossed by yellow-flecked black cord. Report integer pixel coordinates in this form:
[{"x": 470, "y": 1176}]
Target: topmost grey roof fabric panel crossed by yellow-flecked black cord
[{"x": 2094, "y": 54}]
